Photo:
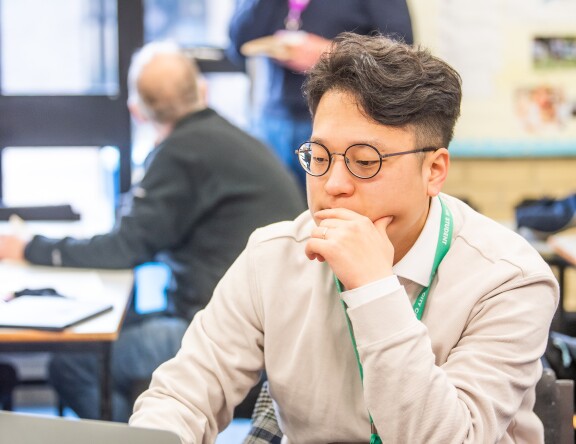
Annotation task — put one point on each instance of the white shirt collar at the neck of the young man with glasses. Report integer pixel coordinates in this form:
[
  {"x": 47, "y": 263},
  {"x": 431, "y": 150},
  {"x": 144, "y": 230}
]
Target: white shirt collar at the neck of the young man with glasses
[{"x": 416, "y": 265}]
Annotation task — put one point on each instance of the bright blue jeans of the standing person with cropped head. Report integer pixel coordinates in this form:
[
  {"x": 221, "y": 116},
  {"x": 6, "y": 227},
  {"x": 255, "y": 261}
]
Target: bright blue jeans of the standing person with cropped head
[{"x": 284, "y": 136}]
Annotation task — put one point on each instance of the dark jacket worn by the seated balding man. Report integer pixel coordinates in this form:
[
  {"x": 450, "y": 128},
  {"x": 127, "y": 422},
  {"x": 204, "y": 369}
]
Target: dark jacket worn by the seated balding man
[{"x": 206, "y": 188}]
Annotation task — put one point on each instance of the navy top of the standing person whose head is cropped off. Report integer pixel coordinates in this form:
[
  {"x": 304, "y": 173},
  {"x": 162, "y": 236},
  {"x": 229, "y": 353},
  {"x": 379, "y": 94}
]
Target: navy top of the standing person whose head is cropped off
[{"x": 326, "y": 18}]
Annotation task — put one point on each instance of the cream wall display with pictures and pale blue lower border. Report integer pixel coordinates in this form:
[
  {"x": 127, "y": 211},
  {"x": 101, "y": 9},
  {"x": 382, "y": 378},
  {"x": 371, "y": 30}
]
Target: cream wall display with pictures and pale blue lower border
[{"x": 517, "y": 59}]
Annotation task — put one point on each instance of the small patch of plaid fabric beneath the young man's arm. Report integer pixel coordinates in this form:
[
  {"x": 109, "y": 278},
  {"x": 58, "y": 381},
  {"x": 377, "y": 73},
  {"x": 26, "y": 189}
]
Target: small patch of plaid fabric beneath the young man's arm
[{"x": 264, "y": 428}]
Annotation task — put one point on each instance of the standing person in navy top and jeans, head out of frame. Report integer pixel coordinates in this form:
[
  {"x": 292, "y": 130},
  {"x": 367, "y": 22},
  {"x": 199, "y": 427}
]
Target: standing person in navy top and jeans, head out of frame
[{"x": 280, "y": 115}]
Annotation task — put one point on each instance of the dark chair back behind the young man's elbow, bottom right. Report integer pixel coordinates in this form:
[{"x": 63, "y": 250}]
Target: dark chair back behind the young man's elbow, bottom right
[{"x": 555, "y": 407}]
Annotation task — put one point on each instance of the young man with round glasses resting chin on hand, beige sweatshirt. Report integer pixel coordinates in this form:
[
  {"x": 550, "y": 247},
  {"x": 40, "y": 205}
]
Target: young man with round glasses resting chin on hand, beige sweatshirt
[{"x": 388, "y": 312}]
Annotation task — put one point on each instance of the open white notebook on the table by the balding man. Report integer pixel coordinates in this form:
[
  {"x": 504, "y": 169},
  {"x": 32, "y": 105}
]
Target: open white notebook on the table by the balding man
[{"x": 49, "y": 312}]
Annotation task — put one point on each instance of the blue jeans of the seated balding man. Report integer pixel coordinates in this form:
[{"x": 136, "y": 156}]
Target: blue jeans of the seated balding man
[{"x": 141, "y": 347}]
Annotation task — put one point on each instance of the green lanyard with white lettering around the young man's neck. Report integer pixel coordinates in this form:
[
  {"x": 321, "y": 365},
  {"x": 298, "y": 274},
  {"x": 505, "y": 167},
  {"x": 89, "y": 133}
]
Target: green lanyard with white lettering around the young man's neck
[{"x": 444, "y": 240}]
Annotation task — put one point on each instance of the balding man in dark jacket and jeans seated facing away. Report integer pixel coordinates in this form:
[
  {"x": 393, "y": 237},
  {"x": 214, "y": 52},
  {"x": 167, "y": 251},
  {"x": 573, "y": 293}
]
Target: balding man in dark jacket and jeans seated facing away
[{"x": 207, "y": 186}]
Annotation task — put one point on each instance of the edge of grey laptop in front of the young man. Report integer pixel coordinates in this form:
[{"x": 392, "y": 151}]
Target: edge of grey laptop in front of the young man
[{"x": 19, "y": 428}]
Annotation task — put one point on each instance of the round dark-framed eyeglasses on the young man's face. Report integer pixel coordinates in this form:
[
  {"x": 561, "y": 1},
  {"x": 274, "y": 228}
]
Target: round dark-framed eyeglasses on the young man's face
[{"x": 363, "y": 161}]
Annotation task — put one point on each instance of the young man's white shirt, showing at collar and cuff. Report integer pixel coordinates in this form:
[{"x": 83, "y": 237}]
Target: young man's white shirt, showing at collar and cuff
[{"x": 415, "y": 266}]
